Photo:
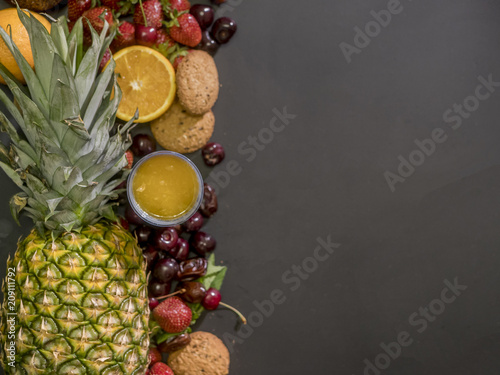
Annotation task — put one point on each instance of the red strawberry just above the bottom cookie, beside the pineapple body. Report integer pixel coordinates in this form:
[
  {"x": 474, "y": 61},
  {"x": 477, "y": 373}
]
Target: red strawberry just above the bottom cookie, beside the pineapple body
[{"x": 173, "y": 315}]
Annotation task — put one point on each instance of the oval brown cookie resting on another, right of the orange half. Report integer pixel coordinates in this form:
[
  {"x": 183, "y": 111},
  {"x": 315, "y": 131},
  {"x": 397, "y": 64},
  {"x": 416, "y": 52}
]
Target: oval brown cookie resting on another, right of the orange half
[{"x": 197, "y": 82}]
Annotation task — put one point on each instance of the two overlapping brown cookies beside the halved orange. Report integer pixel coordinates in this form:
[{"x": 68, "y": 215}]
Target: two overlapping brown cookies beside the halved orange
[{"x": 189, "y": 123}]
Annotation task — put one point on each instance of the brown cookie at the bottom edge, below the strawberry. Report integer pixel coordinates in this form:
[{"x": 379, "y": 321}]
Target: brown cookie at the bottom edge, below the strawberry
[{"x": 206, "y": 354}]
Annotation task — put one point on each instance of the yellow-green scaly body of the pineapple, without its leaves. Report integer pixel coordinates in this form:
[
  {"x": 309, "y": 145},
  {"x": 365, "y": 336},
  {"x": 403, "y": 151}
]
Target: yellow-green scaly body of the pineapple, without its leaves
[{"x": 81, "y": 304}]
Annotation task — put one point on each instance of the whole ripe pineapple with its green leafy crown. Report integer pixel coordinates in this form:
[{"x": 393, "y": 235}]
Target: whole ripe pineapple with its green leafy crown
[{"x": 76, "y": 290}]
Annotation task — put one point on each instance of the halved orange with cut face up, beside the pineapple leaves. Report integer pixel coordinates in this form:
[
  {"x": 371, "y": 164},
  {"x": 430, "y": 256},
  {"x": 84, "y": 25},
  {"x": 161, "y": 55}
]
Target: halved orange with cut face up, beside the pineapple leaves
[{"x": 147, "y": 80}]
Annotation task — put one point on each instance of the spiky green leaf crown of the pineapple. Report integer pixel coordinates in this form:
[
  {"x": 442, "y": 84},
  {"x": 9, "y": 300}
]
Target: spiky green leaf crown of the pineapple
[{"x": 66, "y": 154}]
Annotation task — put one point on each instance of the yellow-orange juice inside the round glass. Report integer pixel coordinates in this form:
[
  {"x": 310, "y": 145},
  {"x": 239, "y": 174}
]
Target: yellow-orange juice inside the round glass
[{"x": 165, "y": 186}]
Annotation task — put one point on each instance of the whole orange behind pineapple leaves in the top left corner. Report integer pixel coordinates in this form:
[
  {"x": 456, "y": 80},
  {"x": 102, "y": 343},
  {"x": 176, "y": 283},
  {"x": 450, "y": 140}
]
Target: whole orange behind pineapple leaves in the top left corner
[{"x": 20, "y": 36}]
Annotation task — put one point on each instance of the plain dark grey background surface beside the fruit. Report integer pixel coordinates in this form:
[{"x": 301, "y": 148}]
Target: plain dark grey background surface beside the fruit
[{"x": 324, "y": 176}]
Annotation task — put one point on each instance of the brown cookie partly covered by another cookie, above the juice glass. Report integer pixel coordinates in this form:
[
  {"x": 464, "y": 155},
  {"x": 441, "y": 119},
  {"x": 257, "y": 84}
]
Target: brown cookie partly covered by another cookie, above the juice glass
[{"x": 178, "y": 130}]
